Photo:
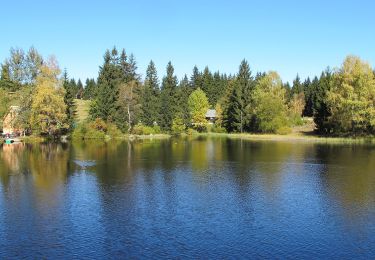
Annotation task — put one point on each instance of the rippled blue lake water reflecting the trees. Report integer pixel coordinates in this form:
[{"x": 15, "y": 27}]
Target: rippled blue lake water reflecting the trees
[{"x": 179, "y": 198}]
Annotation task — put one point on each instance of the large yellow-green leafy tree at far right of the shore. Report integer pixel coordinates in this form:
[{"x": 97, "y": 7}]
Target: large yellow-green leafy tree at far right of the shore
[{"x": 351, "y": 98}]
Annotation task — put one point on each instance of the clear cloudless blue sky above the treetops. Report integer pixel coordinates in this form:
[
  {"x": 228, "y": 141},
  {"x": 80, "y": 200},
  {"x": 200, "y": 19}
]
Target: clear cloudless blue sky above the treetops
[{"x": 287, "y": 36}]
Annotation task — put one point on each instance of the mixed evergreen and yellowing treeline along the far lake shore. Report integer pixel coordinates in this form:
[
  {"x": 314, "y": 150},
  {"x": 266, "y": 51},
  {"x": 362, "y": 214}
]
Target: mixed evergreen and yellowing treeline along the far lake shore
[{"x": 340, "y": 101}]
